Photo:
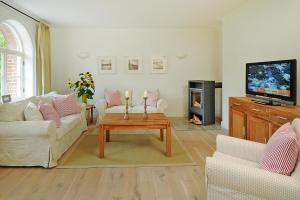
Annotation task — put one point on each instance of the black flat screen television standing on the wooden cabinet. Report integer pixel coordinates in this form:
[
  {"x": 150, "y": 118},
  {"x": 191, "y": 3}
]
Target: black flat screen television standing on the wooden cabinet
[{"x": 275, "y": 79}]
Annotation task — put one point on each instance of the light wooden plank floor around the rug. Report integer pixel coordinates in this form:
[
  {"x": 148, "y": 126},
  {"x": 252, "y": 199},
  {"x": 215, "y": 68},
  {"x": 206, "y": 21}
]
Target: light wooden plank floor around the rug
[{"x": 180, "y": 182}]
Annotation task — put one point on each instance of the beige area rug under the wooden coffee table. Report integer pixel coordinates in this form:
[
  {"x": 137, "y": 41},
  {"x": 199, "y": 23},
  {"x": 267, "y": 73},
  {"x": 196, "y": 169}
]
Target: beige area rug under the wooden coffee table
[{"x": 126, "y": 150}]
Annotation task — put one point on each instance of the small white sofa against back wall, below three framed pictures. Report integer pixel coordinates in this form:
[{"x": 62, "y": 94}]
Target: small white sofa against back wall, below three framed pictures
[{"x": 135, "y": 104}]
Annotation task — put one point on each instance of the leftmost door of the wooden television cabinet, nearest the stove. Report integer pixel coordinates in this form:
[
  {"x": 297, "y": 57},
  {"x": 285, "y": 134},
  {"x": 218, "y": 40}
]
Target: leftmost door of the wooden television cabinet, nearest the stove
[{"x": 237, "y": 123}]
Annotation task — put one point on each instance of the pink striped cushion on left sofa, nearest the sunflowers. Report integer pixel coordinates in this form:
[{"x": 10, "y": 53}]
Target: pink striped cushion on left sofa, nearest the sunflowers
[{"x": 66, "y": 104}]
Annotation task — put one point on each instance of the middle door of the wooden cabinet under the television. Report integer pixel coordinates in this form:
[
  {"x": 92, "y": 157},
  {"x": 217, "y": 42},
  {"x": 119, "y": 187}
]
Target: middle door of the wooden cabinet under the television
[{"x": 257, "y": 129}]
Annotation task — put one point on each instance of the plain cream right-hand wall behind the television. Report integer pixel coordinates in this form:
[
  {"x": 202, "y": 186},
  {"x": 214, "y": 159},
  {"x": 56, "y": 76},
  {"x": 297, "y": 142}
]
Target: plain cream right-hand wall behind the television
[{"x": 258, "y": 31}]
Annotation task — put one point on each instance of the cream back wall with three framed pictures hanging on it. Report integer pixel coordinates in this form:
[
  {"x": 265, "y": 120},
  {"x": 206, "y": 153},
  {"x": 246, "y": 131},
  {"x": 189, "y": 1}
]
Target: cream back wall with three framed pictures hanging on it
[{"x": 202, "y": 62}]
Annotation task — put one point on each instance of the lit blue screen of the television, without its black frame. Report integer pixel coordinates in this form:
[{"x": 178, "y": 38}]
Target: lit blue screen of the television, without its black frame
[{"x": 270, "y": 78}]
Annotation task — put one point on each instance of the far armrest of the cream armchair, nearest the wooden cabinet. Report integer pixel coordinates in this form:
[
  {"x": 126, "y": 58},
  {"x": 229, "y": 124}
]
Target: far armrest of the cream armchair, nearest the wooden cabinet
[{"x": 240, "y": 148}]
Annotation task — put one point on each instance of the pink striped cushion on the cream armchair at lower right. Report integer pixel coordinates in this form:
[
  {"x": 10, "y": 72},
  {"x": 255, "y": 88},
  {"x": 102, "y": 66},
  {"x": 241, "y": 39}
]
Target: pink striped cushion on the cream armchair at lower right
[{"x": 281, "y": 153}]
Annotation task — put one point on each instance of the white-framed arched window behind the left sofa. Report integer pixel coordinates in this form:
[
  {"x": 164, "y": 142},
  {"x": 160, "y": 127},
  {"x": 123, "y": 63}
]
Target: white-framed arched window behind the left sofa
[{"x": 16, "y": 59}]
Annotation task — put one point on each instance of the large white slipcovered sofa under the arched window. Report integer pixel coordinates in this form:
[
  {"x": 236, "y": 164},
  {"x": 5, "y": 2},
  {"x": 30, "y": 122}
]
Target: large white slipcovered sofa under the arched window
[{"x": 38, "y": 143}]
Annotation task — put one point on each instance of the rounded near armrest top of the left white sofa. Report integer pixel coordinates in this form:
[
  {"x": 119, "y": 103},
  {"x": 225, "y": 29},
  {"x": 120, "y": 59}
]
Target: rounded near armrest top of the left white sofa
[{"x": 23, "y": 129}]
